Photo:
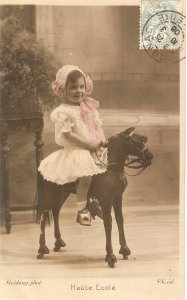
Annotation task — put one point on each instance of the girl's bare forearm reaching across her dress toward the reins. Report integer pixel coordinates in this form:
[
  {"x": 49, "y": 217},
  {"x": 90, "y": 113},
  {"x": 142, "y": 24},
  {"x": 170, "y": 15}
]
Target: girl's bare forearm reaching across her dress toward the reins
[{"x": 80, "y": 141}]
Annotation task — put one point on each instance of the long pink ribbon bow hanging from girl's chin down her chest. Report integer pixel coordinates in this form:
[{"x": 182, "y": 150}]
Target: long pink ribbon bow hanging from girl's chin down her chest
[{"x": 87, "y": 109}]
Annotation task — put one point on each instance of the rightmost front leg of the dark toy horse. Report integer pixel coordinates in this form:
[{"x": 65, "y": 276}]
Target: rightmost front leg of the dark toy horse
[{"x": 117, "y": 205}]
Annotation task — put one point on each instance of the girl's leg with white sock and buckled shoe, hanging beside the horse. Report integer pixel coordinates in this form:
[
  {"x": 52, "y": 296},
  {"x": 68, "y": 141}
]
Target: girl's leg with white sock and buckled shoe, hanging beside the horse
[{"x": 83, "y": 216}]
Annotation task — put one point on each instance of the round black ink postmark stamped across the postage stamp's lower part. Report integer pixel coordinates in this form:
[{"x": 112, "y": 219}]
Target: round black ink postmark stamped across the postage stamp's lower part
[{"x": 163, "y": 36}]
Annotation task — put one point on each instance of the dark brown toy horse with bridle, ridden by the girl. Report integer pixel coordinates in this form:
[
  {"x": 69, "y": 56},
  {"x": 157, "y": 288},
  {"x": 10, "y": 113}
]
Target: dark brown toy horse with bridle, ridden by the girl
[{"x": 107, "y": 187}]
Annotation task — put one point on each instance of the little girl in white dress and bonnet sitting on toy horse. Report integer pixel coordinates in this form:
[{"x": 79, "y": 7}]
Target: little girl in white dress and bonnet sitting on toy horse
[{"x": 79, "y": 130}]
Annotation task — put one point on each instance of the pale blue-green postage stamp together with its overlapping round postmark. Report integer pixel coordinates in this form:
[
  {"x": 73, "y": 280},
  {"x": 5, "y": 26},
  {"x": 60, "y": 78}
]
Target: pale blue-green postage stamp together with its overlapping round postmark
[{"x": 162, "y": 29}]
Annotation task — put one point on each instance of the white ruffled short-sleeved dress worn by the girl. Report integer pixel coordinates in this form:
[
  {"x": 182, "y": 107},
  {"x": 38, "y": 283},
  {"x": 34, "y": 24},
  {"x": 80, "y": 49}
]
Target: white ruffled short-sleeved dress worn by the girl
[{"x": 71, "y": 162}]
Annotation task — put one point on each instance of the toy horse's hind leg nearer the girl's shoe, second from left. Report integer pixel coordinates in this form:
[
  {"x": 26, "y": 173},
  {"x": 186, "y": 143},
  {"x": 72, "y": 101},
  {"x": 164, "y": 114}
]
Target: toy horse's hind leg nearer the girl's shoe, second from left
[{"x": 56, "y": 210}]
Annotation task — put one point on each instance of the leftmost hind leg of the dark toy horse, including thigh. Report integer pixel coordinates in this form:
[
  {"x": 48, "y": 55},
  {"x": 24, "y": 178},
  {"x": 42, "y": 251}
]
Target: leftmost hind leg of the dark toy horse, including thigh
[{"x": 51, "y": 193}]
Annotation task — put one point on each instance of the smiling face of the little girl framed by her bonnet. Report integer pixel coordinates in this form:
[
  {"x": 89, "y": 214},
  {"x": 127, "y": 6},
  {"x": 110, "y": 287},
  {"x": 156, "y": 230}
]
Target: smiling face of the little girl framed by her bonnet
[{"x": 75, "y": 91}]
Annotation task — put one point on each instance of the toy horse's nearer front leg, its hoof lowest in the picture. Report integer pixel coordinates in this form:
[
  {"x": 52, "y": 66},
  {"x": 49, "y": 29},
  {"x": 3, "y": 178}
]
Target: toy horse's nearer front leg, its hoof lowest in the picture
[{"x": 106, "y": 206}]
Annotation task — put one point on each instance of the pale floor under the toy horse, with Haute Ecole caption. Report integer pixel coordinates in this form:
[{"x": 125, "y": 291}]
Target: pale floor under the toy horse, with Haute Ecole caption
[{"x": 79, "y": 270}]
